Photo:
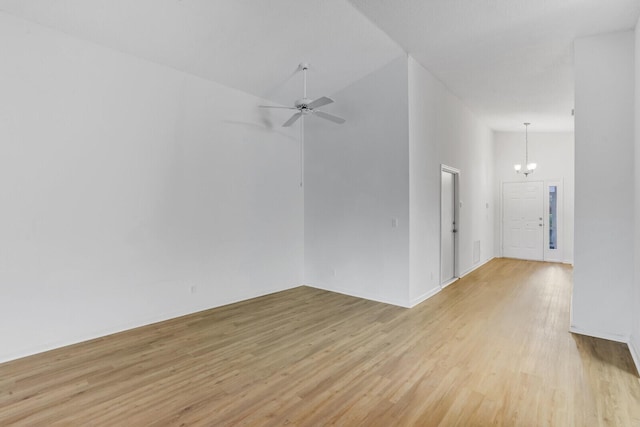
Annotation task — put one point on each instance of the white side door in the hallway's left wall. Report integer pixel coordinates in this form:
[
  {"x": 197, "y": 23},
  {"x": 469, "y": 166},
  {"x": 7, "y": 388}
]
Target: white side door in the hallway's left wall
[{"x": 447, "y": 228}]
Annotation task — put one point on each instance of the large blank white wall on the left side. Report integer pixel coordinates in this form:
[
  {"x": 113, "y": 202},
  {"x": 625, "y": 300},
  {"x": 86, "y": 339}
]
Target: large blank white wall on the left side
[{"x": 123, "y": 184}]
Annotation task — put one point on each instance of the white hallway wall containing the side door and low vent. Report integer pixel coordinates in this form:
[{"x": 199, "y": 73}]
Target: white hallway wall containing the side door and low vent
[{"x": 442, "y": 130}]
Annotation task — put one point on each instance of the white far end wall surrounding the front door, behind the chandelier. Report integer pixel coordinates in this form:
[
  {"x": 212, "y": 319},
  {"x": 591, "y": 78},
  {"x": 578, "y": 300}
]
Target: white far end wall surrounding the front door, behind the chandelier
[{"x": 554, "y": 154}]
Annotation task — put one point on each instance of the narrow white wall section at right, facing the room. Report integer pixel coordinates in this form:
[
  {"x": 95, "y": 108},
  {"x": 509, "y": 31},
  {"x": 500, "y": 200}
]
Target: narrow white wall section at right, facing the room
[{"x": 604, "y": 219}]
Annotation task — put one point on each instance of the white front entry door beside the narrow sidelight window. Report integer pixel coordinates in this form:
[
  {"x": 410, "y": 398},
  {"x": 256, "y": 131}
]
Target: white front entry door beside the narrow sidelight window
[{"x": 523, "y": 230}]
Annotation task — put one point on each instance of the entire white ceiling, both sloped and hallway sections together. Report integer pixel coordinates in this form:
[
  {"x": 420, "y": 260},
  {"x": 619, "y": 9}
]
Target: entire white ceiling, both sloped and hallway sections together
[{"x": 510, "y": 61}]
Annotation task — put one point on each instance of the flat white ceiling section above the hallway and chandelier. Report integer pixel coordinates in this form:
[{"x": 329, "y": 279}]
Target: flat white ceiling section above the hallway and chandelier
[{"x": 510, "y": 61}]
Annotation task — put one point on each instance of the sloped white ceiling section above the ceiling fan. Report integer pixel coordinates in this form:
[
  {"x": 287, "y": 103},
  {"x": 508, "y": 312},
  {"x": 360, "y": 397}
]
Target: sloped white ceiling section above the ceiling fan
[{"x": 251, "y": 45}]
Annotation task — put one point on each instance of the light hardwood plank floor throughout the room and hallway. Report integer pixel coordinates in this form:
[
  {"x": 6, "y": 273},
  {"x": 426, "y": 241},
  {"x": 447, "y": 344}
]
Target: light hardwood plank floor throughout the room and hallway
[{"x": 491, "y": 349}]
